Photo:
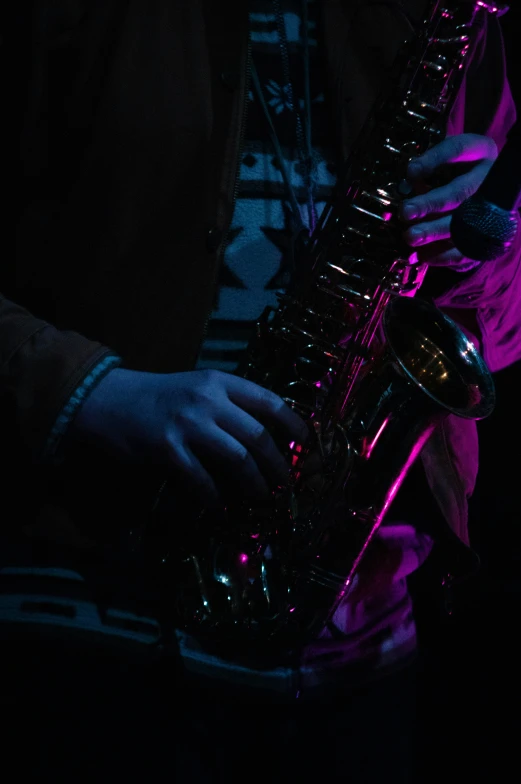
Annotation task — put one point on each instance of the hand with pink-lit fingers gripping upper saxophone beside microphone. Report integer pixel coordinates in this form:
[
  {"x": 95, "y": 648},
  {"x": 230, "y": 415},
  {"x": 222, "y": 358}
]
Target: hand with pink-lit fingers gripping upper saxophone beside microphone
[{"x": 429, "y": 212}]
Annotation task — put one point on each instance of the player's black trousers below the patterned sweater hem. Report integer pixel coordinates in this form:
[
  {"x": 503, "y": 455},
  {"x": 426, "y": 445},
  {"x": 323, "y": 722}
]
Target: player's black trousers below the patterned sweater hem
[{"x": 93, "y": 718}]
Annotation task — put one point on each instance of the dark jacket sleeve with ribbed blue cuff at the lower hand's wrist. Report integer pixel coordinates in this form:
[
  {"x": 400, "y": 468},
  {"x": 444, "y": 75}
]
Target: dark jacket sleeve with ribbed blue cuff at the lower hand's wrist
[{"x": 44, "y": 375}]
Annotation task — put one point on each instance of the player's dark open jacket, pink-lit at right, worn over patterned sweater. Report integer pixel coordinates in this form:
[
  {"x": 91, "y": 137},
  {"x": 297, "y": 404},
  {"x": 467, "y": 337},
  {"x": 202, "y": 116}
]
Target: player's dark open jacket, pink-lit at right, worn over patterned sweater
[{"x": 127, "y": 117}]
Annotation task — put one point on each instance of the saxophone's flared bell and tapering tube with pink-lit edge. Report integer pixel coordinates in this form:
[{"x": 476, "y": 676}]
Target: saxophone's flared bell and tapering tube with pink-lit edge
[{"x": 428, "y": 370}]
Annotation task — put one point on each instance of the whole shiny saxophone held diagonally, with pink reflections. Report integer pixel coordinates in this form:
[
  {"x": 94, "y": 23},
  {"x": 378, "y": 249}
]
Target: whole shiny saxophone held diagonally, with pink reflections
[{"x": 371, "y": 369}]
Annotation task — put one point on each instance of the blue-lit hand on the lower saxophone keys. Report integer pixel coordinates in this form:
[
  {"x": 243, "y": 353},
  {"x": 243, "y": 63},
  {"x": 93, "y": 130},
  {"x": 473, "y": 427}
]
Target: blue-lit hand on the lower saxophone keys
[{"x": 213, "y": 431}]
